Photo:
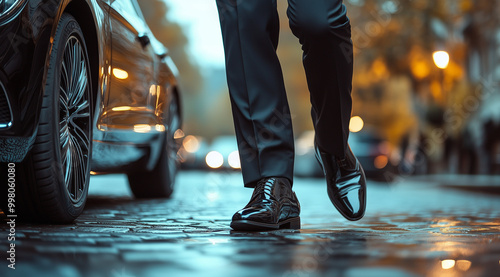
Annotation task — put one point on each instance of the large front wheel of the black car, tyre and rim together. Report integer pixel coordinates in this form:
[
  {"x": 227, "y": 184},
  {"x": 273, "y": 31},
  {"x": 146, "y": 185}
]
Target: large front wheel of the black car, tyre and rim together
[{"x": 58, "y": 167}]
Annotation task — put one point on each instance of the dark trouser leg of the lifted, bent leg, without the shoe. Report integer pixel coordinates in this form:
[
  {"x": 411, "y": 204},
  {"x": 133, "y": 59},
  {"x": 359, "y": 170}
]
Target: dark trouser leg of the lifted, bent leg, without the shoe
[{"x": 325, "y": 34}]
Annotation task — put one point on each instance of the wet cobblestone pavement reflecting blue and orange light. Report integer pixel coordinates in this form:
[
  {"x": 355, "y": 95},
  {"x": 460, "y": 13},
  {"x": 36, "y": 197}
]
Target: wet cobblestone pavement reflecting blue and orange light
[{"x": 412, "y": 228}]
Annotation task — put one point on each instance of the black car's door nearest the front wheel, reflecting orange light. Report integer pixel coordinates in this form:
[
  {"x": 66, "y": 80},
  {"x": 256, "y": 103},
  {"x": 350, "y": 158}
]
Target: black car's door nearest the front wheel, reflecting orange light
[{"x": 131, "y": 100}]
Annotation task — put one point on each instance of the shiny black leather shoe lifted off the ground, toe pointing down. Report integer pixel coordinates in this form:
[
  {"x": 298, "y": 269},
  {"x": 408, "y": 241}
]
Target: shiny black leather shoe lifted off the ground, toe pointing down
[{"x": 346, "y": 183}]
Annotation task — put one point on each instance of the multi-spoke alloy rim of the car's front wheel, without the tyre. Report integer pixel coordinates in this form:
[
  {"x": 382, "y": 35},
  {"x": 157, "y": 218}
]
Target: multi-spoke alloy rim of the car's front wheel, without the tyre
[{"x": 74, "y": 119}]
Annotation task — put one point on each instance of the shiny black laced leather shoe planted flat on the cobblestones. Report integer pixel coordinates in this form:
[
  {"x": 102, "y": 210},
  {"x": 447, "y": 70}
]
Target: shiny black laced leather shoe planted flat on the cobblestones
[{"x": 273, "y": 206}]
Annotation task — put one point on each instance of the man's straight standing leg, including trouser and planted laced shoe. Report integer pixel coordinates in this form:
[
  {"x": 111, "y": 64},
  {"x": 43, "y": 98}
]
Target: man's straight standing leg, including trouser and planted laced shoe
[{"x": 262, "y": 120}]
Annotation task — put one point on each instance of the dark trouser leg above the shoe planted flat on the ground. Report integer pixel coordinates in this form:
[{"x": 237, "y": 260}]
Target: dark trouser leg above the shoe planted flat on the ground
[{"x": 262, "y": 120}]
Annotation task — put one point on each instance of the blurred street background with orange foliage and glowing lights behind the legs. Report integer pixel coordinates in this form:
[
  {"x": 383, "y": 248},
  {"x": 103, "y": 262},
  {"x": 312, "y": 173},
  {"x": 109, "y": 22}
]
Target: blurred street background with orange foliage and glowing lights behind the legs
[{"x": 426, "y": 85}]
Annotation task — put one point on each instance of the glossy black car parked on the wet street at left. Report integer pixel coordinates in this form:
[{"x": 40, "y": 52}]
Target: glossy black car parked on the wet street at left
[{"x": 84, "y": 88}]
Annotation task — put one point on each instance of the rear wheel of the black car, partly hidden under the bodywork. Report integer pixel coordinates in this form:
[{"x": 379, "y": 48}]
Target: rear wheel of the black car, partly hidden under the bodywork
[{"x": 159, "y": 182}]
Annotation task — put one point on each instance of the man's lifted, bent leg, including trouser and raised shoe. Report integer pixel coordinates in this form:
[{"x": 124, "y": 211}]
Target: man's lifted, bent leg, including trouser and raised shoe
[{"x": 325, "y": 34}]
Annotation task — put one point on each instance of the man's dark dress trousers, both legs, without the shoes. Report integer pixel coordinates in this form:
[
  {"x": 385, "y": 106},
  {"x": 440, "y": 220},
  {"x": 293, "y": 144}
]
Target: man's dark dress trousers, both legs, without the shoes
[{"x": 262, "y": 119}]
